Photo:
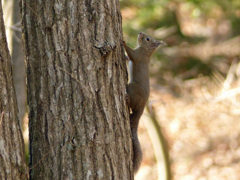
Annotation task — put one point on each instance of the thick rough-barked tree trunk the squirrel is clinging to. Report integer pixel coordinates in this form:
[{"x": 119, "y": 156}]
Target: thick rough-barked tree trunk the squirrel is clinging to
[{"x": 76, "y": 77}]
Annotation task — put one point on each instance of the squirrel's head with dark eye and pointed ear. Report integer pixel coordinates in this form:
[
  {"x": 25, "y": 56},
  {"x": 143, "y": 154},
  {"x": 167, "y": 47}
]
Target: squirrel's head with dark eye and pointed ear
[{"x": 148, "y": 42}]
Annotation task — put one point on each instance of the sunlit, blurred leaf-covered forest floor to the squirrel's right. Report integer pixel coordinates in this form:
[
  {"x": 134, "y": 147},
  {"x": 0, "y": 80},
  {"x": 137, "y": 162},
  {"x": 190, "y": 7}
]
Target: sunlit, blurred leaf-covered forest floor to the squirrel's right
[{"x": 201, "y": 126}]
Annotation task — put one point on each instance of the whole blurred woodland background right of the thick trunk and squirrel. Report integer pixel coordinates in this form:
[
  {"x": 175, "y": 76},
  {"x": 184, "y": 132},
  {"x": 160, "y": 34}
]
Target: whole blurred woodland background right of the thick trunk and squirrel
[{"x": 195, "y": 88}]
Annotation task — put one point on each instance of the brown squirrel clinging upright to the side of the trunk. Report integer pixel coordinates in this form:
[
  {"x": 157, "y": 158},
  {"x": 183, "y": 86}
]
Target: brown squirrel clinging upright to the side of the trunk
[{"x": 138, "y": 87}]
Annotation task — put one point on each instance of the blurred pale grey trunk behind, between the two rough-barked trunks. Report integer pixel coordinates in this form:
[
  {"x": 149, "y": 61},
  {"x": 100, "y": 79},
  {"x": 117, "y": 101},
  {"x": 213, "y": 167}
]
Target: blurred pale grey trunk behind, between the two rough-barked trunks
[{"x": 12, "y": 19}]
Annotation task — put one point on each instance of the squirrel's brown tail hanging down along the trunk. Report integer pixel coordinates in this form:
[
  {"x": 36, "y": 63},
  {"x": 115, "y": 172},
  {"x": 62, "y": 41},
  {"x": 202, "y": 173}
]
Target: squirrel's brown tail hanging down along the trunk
[{"x": 137, "y": 152}]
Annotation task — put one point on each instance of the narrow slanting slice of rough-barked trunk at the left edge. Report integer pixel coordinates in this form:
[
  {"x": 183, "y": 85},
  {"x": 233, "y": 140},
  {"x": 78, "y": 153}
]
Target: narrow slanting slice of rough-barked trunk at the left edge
[{"x": 12, "y": 157}]
